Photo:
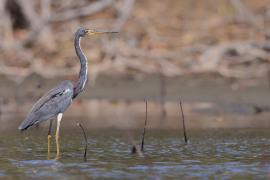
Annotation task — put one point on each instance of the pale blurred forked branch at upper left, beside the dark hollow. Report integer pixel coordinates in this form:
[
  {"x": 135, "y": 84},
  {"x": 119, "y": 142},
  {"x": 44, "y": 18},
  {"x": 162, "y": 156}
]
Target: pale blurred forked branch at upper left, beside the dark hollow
[{"x": 40, "y": 24}]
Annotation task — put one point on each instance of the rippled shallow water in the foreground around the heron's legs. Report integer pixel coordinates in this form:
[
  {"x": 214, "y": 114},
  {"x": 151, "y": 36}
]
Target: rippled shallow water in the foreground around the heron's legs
[{"x": 209, "y": 154}]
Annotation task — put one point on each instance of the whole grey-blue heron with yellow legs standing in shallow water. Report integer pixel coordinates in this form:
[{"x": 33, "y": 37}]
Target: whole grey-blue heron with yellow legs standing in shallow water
[{"x": 55, "y": 102}]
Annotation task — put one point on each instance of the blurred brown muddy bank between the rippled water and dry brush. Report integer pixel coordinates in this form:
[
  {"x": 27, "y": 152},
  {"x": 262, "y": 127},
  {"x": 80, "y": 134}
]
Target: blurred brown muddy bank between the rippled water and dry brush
[{"x": 117, "y": 102}]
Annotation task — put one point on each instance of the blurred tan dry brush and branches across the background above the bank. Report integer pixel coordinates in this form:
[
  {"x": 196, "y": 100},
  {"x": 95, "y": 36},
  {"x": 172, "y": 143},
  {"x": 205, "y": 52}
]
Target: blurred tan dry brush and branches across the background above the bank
[{"x": 227, "y": 37}]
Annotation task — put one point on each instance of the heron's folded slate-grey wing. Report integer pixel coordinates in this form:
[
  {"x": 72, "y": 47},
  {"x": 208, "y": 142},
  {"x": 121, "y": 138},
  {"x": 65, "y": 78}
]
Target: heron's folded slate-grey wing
[{"x": 49, "y": 105}]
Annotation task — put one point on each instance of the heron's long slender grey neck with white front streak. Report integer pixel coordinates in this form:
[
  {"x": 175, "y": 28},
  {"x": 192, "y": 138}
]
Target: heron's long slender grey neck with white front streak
[{"x": 79, "y": 86}]
